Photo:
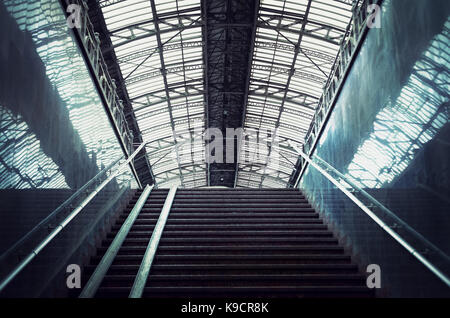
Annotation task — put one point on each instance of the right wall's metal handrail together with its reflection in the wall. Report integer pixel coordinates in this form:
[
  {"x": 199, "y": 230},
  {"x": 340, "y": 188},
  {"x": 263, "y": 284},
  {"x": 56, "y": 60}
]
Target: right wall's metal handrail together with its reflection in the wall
[{"x": 354, "y": 188}]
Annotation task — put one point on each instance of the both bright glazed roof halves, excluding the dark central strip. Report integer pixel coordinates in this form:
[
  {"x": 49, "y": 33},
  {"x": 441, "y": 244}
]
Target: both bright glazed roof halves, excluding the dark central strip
[{"x": 295, "y": 46}]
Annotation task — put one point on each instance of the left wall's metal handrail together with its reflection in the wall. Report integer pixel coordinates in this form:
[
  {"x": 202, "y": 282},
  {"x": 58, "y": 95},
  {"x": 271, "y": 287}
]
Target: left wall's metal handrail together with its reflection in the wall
[{"x": 43, "y": 243}]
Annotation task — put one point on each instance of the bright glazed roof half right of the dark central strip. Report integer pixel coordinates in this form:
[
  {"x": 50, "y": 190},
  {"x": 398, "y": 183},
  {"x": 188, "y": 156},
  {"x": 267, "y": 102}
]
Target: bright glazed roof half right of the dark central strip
[{"x": 295, "y": 48}]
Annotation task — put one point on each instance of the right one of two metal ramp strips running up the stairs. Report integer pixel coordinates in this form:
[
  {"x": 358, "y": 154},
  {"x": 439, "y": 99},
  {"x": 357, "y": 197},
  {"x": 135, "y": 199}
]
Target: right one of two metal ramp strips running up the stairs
[{"x": 144, "y": 269}]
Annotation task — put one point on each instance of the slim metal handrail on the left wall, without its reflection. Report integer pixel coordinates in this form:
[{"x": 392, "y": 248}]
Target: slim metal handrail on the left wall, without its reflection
[{"x": 66, "y": 221}]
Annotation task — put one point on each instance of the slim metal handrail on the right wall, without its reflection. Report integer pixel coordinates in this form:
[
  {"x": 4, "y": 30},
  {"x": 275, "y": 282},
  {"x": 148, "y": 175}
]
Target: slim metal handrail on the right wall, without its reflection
[{"x": 442, "y": 276}]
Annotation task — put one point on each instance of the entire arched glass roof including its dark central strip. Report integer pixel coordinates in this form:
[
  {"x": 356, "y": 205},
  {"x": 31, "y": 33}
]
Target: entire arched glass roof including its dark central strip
[{"x": 192, "y": 64}]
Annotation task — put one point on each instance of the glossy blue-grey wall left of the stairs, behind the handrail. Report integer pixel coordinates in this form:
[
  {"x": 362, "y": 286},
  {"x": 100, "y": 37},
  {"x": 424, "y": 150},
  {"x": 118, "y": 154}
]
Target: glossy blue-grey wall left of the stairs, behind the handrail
[{"x": 55, "y": 136}]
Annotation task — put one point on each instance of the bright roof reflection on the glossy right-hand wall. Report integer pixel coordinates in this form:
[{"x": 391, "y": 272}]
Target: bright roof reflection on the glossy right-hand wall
[{"x": 402, "y": 128}]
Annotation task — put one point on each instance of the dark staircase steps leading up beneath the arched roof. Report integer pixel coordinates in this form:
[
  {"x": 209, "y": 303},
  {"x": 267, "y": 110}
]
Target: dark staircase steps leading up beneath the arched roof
[{"x": 232, "y": 243}]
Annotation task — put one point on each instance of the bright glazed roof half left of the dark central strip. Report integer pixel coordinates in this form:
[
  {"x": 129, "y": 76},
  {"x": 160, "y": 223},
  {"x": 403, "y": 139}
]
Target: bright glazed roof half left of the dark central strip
[{"x": 165, "y": 86}]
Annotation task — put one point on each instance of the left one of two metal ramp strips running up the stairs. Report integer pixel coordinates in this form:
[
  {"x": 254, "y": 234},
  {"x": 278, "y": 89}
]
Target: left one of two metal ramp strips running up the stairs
[{"x": 96, "y": 278}]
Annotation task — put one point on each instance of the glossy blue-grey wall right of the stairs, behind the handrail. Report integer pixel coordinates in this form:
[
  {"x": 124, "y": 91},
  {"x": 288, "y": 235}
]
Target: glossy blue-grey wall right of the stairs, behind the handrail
[{"x": 389, "y": 134}]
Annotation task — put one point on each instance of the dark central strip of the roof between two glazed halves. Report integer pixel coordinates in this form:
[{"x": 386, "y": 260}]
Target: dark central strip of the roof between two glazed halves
[{"x": 229, "y": 38}]
